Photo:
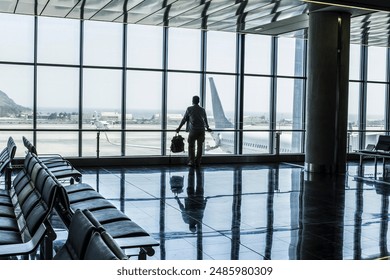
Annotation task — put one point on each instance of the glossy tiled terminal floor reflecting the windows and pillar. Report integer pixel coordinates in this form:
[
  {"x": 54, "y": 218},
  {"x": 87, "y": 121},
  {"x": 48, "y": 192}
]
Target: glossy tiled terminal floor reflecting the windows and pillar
[{"x": 254, "y": 212}]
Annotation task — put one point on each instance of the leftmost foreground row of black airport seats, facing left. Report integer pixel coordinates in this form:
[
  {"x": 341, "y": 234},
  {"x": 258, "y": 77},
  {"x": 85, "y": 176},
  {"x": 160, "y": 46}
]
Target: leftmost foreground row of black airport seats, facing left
[{"x": 24, "y": 211}]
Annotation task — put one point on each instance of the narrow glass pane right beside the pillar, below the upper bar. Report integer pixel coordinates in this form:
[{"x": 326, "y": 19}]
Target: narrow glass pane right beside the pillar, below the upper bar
[{"x": 353, "y": 116}]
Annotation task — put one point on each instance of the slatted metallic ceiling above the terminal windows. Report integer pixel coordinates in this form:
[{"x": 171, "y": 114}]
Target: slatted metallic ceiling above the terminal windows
[{"x": 370, "y": 22}]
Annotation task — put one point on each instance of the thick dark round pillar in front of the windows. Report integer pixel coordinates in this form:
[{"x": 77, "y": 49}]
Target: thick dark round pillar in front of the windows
[{"x": 327, "y": 92}]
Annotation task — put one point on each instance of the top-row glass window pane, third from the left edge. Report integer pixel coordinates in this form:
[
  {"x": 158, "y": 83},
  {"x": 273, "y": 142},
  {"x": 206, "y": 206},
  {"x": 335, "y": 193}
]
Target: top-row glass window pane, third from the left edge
[{"x": 103, "y": 43}]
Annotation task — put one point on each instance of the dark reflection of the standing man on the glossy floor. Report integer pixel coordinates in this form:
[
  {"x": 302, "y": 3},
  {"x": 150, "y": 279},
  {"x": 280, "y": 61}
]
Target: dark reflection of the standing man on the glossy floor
[{"x": 193, "y": 209}]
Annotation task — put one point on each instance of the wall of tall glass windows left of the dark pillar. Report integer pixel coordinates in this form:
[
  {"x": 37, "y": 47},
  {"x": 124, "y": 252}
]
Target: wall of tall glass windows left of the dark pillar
[{"x": 59, "y": 92}]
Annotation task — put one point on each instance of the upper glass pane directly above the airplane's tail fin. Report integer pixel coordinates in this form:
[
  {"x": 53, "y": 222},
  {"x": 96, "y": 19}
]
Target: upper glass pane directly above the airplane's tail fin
[{"x": 221, "y": 51}]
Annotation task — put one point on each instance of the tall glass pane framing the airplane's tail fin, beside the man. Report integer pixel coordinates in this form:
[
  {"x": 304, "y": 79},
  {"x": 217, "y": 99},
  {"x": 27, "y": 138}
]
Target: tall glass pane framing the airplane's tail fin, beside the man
[{"x": 220, "y": 112}]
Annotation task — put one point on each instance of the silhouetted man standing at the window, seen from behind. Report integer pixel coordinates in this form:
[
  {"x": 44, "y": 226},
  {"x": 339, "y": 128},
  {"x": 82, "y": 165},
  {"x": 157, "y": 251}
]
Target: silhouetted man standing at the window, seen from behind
[{"x": 196, "y": 119}]
